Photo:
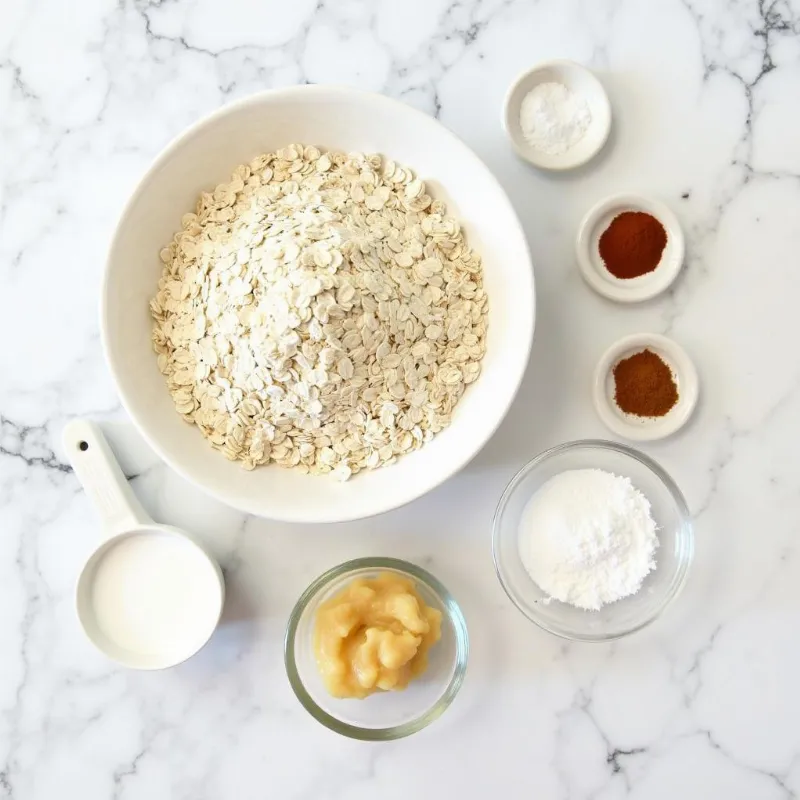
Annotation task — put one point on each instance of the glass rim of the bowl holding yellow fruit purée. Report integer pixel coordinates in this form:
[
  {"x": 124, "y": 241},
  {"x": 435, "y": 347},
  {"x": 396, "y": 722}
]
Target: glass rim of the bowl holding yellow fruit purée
[{"x": 454, "y": 613}]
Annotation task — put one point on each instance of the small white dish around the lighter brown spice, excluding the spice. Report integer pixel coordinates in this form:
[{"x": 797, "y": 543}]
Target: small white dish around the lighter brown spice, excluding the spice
[{"x": 630, "y": 426}]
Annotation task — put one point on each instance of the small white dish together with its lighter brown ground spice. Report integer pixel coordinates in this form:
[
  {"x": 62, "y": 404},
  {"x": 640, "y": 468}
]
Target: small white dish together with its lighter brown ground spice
[{"x": 645, "y": 387}]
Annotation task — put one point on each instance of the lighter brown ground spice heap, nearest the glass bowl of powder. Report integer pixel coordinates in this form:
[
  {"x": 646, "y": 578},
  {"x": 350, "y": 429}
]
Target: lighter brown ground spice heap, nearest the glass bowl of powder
[{"x": 644, "y": 385}]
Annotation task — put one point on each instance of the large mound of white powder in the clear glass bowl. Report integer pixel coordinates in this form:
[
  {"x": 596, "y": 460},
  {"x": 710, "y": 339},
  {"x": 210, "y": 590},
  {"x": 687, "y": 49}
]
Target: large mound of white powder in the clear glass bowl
[{"x": 587, "y": 538}]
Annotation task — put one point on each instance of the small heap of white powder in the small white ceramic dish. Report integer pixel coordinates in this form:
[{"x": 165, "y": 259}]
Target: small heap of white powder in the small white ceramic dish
[{"x": 553, "y": 118}]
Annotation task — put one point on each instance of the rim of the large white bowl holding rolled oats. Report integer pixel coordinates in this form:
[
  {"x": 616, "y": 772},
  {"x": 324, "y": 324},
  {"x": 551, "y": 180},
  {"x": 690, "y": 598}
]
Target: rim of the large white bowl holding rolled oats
[{"x": 301, "y": 513}]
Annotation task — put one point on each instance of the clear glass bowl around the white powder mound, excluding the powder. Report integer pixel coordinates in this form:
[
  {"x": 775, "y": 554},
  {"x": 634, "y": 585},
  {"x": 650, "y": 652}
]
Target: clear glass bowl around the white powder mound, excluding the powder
[{"x": 673, "y": 556}]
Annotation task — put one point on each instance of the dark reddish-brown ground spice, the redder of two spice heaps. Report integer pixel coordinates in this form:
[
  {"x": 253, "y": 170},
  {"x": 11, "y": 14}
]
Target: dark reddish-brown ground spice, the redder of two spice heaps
[{"x": 632, "y": 245}]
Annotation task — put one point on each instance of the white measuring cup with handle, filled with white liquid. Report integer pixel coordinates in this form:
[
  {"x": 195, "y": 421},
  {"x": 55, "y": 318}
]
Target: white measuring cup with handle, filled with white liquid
[{"x": 150, "y": 596}]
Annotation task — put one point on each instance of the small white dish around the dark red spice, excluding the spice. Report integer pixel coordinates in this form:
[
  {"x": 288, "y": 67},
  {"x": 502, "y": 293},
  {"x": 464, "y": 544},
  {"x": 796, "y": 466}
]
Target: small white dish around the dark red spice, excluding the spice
[{"x": 593, "y": 268}]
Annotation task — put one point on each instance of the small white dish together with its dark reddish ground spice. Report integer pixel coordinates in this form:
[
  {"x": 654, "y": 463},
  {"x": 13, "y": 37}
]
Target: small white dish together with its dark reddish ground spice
[{"x": 630, "y": 248}]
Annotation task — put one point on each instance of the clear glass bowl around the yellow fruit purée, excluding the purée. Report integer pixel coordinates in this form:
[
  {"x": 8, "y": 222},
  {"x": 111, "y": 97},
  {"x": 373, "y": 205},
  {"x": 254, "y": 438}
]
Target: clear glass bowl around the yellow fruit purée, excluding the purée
[{"x": 384, "y": 715}]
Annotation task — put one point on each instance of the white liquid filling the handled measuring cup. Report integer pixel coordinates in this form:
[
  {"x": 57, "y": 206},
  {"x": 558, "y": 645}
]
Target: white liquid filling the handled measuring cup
[{"x": 155, "y": 594}]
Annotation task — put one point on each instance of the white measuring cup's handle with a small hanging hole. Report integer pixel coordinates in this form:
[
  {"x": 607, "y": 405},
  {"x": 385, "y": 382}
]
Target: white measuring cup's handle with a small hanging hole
[{"x": 102, "y": 479}]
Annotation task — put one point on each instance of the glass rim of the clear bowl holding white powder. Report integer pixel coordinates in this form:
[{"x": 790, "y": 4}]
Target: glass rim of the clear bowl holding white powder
[{"x": 686, "y": 531}]
